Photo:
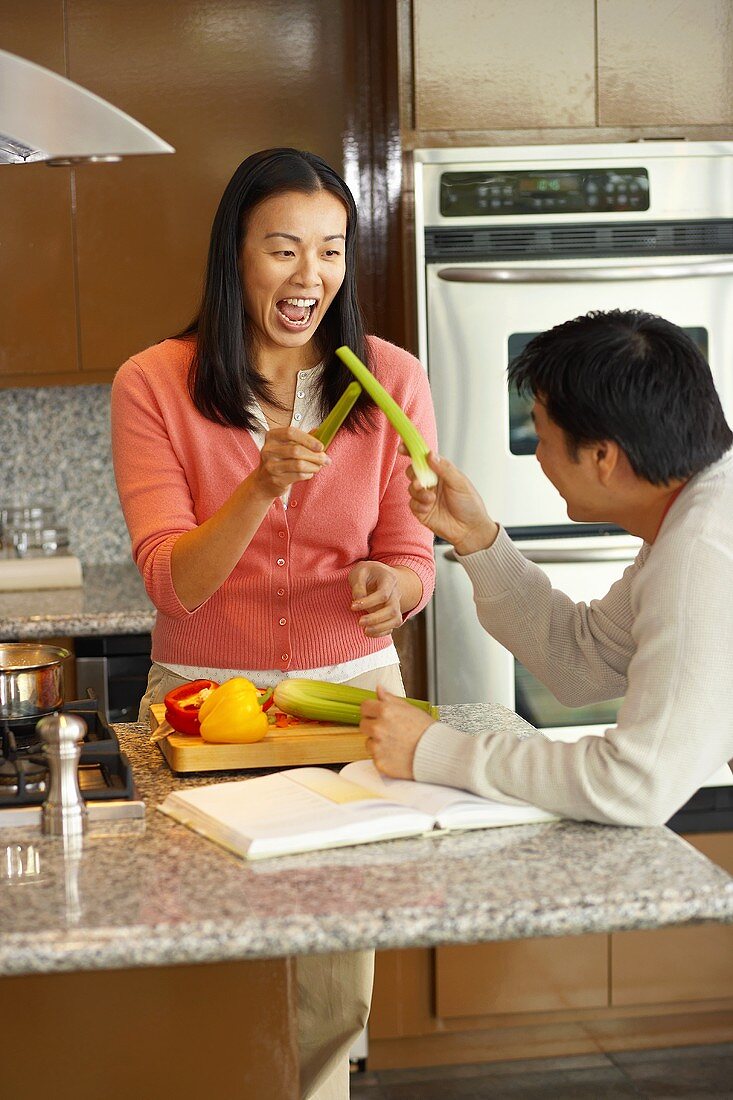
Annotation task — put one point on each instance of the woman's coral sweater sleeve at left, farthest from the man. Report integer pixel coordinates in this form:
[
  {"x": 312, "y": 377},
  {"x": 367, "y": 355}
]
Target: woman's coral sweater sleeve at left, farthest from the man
[{"x": 151, "y": 483}]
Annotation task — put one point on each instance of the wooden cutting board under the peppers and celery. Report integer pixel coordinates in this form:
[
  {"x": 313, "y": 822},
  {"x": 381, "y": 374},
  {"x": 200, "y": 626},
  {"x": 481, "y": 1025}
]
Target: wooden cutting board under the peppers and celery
[{"x": 280, "y": 749}]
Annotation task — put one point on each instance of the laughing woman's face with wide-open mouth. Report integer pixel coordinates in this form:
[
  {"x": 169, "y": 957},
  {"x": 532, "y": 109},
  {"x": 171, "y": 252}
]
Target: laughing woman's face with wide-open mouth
[{"x": 293, "y": 263}]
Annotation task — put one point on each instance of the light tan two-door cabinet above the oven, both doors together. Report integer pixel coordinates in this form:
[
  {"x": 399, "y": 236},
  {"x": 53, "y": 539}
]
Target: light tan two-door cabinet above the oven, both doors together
[{"x": 491, "y": 67}]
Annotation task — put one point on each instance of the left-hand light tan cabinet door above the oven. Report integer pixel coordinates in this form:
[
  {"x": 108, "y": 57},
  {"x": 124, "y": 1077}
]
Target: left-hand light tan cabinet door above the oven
[{"x": 501, "y": 65}]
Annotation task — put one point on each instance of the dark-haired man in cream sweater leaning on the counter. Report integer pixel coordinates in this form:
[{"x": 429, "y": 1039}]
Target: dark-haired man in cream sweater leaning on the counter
[{"x": 630, "y": 432}]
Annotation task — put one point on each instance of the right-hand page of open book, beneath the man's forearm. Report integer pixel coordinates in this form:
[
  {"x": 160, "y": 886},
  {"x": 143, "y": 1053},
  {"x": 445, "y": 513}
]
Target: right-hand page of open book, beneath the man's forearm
[{"x": 450, "y": 807}]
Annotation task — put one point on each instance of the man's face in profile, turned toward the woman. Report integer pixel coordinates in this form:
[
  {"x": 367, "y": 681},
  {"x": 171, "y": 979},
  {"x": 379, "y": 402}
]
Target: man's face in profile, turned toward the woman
[{"x": 574, "y": 476}]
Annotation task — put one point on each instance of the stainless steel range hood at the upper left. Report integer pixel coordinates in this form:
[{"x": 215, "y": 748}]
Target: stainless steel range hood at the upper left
[{"x": 45, "y": 117}]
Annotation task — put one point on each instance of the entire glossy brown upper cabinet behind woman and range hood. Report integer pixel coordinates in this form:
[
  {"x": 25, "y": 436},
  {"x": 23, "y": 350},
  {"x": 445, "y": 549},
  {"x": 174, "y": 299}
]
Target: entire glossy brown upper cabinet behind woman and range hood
[{"x": 102, "y": 261}]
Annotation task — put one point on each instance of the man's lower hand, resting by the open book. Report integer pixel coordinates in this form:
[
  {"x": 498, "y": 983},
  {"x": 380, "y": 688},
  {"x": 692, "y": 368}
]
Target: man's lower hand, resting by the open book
[{"x": 393, "y": 729}]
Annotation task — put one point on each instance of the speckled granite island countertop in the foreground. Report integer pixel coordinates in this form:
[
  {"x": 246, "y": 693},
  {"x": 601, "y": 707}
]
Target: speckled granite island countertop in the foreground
[{"x": 166, "y": 896}]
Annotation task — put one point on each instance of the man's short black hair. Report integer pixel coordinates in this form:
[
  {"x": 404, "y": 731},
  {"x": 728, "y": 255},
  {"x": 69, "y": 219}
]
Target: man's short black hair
[{"x": 631, "y": 378}]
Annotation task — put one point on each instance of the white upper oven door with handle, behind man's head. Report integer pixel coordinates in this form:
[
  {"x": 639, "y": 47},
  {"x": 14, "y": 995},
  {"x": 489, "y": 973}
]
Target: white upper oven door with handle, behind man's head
[{"x": 480, "y": 317}]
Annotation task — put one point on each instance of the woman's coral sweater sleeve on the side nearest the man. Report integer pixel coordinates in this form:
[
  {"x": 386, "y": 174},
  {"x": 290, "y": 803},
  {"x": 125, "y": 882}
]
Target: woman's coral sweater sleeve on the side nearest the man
[{"x": 399, "y": 538}]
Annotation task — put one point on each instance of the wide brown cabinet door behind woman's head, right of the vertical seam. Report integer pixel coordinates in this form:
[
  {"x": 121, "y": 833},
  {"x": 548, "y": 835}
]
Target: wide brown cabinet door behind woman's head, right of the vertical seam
[{"x": 218, "y": 80}]
